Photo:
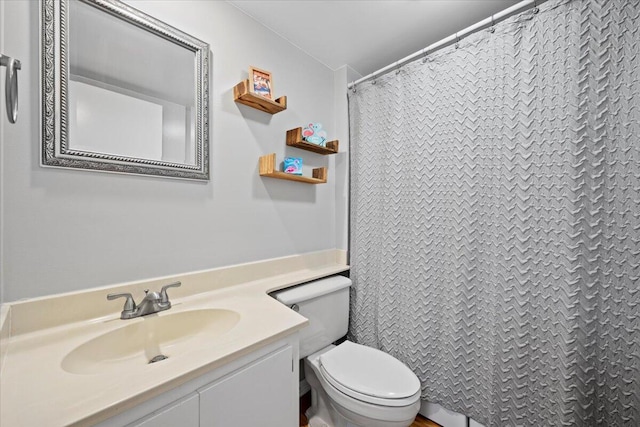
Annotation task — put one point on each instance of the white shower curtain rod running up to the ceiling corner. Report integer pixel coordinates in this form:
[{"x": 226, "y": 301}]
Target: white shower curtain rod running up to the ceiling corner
[{"x": 454, "y": 38}]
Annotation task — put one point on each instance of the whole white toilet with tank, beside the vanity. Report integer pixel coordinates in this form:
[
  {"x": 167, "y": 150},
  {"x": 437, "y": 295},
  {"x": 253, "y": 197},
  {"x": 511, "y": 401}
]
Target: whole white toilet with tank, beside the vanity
[{"x": 351, "y": 385}]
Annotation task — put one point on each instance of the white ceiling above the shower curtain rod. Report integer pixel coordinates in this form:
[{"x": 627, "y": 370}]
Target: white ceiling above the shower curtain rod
[{"x": 367, "y": 34}]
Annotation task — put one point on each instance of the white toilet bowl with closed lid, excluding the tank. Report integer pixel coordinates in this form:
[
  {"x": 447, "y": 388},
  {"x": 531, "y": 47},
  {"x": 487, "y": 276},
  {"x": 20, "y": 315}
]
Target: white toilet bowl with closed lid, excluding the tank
[{"x": 357, "y": 386}]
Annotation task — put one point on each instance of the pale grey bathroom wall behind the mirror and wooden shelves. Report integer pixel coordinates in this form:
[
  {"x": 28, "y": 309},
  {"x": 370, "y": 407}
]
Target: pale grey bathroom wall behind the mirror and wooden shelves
[{"x": 66, "y": 230}]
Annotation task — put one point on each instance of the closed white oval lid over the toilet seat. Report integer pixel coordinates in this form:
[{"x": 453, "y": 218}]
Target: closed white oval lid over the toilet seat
[{"x": 368, "y": 372}]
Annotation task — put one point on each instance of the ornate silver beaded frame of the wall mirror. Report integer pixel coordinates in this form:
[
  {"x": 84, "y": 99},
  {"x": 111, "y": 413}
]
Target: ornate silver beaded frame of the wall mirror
[{"x": 59, "y": 151}]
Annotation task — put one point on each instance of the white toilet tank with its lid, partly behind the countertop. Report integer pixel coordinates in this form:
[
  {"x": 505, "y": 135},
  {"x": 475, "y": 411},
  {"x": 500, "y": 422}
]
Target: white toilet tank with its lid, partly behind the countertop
[{"x": 325, "y": 303}]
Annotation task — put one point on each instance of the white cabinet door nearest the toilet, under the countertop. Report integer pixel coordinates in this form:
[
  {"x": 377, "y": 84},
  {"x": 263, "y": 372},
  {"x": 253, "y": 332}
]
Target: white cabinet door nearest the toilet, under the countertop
[{"x": 260, "y": 394}]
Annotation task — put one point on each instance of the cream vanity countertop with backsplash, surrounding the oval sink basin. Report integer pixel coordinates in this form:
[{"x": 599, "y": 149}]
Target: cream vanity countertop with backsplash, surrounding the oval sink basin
[{"x": 35, "y": 390}]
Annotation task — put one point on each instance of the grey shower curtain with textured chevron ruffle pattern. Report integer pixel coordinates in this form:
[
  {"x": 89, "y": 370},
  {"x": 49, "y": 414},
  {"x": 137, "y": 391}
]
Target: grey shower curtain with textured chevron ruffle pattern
[{"x": 495, "y": 218}]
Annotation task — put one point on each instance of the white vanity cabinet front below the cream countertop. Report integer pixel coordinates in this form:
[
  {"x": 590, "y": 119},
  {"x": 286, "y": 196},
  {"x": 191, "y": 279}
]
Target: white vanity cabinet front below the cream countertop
[{"x": 258, "y": 389}]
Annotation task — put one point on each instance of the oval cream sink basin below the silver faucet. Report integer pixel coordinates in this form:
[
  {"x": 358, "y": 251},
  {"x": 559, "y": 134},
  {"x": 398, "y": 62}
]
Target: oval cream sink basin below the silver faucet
[{"x": 139, "y": 340}]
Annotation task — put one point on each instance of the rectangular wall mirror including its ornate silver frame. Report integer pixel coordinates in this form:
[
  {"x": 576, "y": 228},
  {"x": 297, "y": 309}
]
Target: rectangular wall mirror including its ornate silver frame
[{"x": 122, "y": 91}]
